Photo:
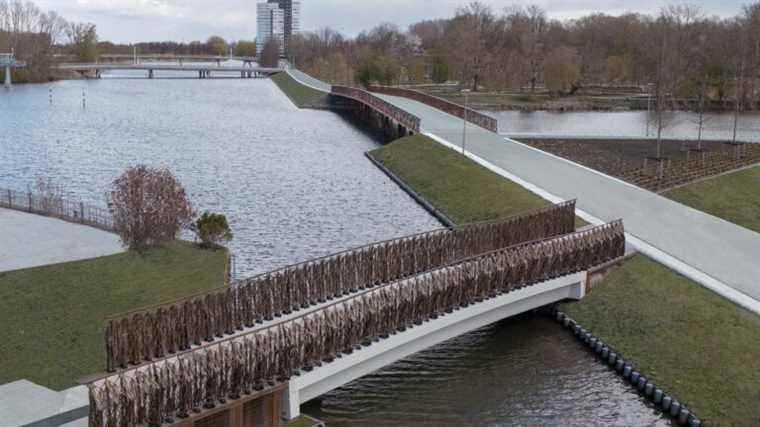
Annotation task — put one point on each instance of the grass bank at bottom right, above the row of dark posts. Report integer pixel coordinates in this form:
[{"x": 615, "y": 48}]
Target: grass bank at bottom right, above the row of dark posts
[{"x": 689, "y": 341}]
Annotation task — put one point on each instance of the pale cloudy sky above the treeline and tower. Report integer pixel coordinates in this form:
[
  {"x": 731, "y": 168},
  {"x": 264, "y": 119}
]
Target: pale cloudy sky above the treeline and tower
[{"x": 186, "y": 20}]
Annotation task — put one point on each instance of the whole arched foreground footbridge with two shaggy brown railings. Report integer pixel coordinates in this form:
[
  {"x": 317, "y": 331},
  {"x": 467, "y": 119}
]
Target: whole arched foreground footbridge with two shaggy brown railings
[{"x": 306, "y": 329}]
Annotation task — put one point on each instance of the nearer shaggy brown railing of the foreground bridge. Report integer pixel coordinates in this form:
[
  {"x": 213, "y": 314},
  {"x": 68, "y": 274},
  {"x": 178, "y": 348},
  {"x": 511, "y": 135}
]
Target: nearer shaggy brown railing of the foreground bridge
[{"x": 235, "y": 367}]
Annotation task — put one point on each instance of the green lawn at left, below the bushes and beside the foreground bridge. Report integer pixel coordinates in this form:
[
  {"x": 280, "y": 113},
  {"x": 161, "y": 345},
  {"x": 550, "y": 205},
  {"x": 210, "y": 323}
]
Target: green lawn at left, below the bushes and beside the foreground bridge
[{"x": 52, "y": 317}]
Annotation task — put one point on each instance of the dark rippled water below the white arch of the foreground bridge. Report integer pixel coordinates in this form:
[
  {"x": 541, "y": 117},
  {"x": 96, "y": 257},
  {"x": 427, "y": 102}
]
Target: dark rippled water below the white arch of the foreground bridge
[{"x": 522, "y": 371}]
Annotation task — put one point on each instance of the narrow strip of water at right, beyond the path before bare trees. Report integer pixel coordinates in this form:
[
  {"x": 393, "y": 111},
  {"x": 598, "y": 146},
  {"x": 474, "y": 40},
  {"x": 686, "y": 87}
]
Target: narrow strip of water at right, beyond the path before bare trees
[{"x": 626, "y": 124}]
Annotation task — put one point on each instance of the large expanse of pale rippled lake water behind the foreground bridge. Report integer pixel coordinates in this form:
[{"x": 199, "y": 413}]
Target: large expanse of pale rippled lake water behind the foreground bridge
[{"x": 295, "y": 183}]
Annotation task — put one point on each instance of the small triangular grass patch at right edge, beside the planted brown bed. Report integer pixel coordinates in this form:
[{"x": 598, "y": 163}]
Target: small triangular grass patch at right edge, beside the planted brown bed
[{"x": 734, "y": 197}]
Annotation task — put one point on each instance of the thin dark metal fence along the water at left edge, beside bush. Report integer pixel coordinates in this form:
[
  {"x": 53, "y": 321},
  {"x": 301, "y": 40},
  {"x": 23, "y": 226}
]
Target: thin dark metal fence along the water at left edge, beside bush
[{"x": 57, "y": 207}]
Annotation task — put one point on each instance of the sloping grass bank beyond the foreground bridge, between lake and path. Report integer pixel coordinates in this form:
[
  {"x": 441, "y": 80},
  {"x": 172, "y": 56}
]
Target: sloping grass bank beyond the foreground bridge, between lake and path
[{"x": 459, "y": 187}]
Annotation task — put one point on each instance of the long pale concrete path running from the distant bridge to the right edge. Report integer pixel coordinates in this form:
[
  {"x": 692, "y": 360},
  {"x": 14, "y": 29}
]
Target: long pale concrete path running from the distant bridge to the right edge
[{"x": 710, "y": 250}]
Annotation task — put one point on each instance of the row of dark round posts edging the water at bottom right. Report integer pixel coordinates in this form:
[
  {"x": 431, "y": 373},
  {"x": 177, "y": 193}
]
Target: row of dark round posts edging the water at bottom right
[{"x": 678, "y": 412}]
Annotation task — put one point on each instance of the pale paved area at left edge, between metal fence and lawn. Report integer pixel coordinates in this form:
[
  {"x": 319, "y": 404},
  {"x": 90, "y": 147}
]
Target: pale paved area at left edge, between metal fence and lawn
[{"x": 28, "y": 240}]
